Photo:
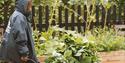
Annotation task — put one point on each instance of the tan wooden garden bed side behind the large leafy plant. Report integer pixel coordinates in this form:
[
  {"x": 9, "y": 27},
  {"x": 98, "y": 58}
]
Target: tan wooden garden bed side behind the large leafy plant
[{"x": 105, "y": 57}]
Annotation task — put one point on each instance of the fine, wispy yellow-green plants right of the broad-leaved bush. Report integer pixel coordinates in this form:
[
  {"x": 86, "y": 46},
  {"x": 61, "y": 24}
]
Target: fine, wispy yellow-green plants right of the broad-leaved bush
[{"x": 107, "y": 39}]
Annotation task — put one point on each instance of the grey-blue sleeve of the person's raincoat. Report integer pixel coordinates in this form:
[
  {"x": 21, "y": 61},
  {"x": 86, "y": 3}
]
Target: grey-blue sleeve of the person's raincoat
[{"x": 20, "y": 36}]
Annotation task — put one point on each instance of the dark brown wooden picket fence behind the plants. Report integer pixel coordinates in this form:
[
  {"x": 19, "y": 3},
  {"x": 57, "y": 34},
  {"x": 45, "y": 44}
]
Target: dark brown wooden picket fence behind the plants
[{"x": 70, "y": 20}]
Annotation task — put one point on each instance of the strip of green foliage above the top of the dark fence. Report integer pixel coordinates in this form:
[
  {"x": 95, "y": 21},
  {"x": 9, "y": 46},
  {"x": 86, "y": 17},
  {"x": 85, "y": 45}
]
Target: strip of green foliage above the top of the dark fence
[{"x": 76, "y": 2}]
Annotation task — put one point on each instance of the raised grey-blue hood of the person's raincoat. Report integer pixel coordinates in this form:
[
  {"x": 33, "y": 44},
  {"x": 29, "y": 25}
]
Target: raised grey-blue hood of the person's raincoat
[{"x": 21, "y": 5}]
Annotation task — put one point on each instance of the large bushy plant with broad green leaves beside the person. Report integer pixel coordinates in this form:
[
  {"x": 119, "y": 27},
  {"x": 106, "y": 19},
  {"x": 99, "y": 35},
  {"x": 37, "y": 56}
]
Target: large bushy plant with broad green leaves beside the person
[{"x": 64, "y": 46}]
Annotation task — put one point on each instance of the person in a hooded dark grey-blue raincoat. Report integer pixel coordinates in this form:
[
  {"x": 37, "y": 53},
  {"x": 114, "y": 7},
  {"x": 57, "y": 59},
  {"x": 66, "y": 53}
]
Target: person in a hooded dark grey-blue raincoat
[{"x": 17, "y": 45}]
